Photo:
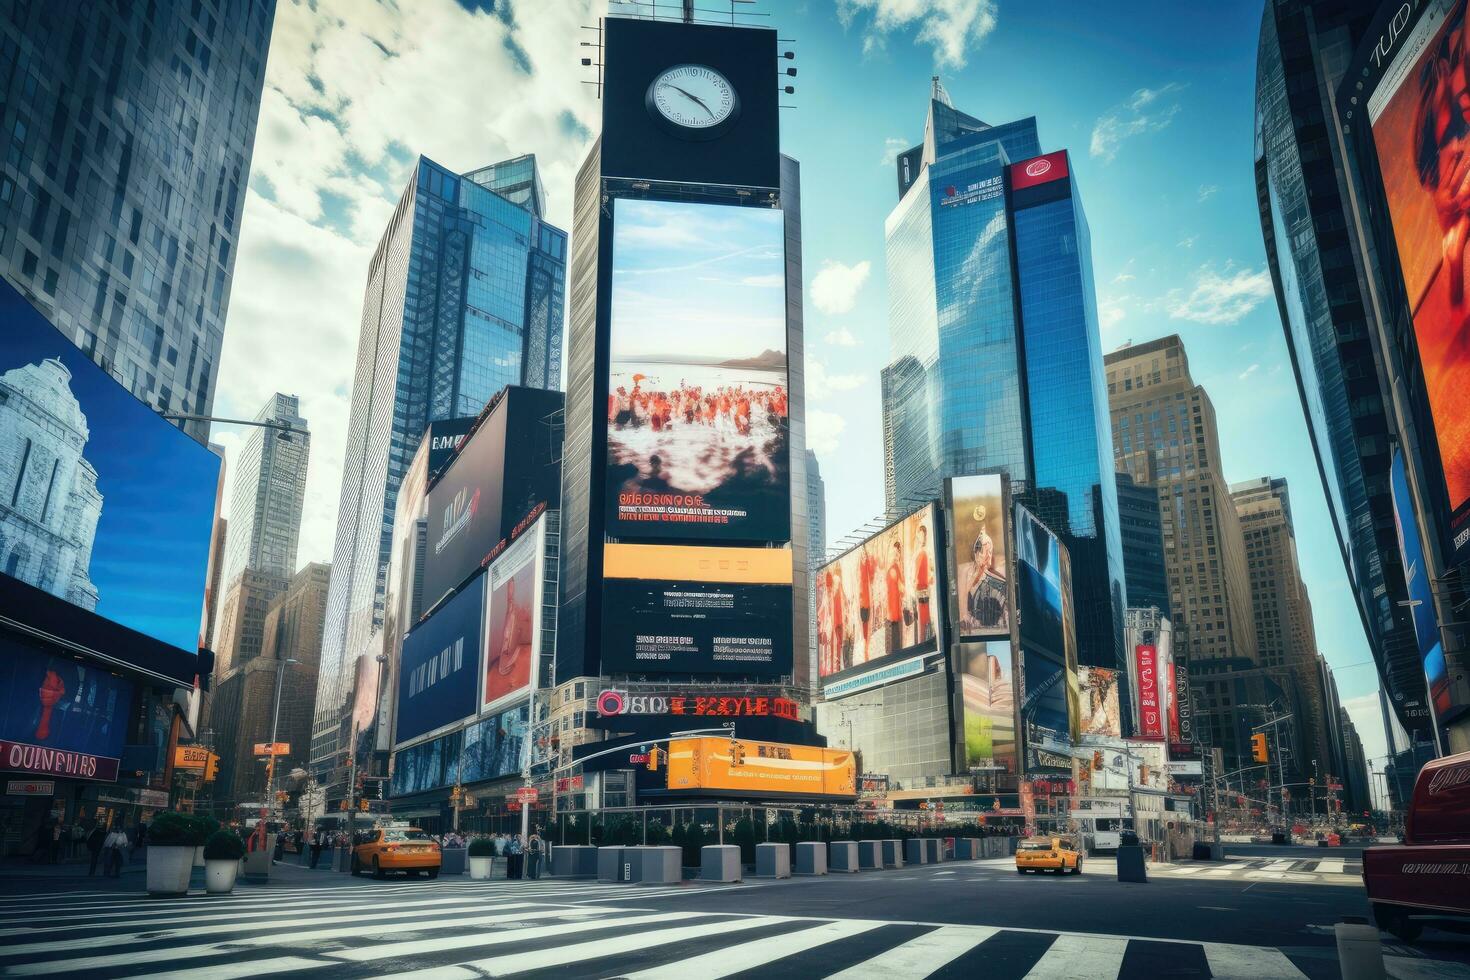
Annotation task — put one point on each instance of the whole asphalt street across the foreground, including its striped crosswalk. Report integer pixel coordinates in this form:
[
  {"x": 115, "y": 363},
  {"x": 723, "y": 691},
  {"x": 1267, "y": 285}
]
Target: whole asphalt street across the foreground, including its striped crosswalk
[{"x": 950, "y": 920}]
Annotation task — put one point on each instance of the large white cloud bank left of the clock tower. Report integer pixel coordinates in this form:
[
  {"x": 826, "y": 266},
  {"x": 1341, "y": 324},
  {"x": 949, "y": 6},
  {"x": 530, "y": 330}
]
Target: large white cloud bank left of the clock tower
[{"x": 354, "y": 93}]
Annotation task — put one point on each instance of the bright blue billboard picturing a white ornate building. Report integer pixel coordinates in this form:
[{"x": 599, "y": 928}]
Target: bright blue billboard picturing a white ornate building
[{"x": 107, "y": 506}]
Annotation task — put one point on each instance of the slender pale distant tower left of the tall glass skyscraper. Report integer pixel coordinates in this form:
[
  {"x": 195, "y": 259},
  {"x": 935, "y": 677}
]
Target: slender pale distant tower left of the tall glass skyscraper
[{"x": 268, "y": 494}]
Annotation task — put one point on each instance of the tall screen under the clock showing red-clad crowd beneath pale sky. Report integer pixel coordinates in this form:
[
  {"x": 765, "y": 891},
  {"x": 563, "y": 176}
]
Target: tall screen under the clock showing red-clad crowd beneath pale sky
[{"x": 698, "y": 402}]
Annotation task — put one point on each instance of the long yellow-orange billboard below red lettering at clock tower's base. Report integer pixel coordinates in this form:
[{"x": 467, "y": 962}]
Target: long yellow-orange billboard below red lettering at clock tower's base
[{"x": 761, "y": 769}]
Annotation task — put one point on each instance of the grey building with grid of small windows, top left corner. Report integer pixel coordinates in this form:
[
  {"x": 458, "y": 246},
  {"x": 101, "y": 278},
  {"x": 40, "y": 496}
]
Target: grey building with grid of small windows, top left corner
[{"x": 130, "y": 131}]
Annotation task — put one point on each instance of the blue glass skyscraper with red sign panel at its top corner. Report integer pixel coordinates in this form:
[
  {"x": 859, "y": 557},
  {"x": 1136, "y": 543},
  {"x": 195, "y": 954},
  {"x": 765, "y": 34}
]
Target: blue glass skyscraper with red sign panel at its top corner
[{"x": 996, "y": 361}]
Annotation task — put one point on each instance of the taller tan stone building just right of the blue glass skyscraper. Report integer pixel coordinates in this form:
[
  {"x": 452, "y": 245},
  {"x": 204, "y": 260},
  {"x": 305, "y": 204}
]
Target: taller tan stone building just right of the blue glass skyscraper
[{"x": 1165, "y": 436}]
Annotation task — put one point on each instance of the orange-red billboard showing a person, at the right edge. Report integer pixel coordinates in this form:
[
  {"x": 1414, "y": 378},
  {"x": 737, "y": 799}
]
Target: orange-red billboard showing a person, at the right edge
[{"x": 1421, "y": 127}]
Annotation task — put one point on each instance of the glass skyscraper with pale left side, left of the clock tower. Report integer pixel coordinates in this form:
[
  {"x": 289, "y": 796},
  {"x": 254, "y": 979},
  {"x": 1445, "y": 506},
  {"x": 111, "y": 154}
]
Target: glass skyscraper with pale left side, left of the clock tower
[{"x": 465, "y": 296}]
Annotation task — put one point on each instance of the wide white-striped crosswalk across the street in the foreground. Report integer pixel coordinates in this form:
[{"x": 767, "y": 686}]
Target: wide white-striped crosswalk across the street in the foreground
[{"x": 455, "y": 931}]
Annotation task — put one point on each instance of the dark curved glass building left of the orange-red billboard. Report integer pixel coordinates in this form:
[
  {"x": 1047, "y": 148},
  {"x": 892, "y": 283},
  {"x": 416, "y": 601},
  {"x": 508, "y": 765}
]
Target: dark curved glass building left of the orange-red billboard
[{"x": 1328, "y": 317}]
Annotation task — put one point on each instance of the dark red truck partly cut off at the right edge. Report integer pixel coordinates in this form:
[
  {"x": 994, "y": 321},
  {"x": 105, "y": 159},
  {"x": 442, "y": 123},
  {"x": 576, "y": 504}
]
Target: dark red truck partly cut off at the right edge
[{"x": 1428, "y": 876}]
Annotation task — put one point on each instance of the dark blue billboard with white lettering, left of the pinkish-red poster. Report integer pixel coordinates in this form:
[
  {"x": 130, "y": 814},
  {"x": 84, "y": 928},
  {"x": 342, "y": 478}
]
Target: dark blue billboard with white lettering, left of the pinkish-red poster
[{"x": 440, "y": 665}]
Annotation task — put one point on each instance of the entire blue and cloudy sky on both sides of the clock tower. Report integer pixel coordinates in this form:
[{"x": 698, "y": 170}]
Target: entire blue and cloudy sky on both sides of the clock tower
[{"x": 1156, "y": 111}]
